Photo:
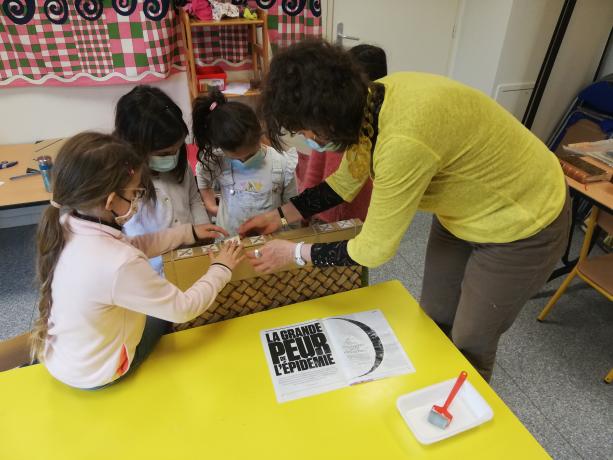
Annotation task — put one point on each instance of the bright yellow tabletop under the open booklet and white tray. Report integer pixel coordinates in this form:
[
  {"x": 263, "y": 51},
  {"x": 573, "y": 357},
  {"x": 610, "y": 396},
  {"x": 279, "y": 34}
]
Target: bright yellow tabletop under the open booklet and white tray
[{"x": 207, "y": 393}]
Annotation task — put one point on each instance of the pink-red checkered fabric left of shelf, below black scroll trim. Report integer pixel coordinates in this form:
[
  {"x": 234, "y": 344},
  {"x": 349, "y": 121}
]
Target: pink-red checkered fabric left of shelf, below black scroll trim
[{"x": 111, "y": 49}]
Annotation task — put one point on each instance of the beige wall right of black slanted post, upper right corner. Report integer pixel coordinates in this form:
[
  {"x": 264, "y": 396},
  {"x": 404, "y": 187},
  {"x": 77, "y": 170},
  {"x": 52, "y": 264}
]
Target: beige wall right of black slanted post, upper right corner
[{"x": 576, "y": 63}]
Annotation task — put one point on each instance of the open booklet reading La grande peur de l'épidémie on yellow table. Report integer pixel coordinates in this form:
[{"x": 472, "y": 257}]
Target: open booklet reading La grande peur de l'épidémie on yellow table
[{"x": 326, "y": 354}]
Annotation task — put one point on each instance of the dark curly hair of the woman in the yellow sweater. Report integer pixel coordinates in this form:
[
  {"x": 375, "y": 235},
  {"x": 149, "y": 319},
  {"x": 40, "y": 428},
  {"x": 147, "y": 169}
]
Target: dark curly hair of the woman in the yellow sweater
[{"x": 316, "y": 86}]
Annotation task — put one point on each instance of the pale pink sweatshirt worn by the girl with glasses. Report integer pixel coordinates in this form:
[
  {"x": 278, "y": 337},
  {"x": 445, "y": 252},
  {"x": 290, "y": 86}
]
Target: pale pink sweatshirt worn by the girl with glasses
[{"x": 103, "y": 288}]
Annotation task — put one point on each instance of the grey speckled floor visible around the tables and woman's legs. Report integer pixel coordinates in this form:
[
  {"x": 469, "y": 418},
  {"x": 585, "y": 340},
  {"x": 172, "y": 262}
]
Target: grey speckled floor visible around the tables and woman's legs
[{"x": 550, "y": 374}]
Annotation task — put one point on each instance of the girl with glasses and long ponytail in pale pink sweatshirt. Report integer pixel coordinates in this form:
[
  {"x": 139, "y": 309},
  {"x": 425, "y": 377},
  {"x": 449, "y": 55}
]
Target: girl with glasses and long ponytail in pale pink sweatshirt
[{"x": 102, "y": 308}]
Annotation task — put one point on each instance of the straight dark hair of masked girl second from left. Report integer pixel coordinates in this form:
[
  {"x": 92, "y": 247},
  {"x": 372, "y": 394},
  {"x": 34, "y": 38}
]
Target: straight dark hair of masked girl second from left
[{"x": 149, "y": 120}]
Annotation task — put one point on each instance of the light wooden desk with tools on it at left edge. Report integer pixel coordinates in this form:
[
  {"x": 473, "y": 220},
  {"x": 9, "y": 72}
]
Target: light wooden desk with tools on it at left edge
[{"x": 28, "y": 191}]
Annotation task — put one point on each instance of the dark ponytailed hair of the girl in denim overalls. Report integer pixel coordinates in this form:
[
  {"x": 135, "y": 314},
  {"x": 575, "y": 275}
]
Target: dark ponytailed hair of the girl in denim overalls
[{"x": 218, "y": 123}]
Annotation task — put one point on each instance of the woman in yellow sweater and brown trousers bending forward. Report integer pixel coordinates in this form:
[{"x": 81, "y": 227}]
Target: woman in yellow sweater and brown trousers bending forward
[{"x": 498, "y": 195}]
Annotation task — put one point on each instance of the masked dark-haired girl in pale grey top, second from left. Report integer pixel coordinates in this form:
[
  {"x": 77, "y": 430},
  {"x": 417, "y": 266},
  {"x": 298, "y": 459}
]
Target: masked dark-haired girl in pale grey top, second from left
[{"x": 153, "y": 124}]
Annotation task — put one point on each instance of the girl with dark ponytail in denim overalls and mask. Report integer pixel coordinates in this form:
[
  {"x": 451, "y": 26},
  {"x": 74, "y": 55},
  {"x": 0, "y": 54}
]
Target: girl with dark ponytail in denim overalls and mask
[{"x": 252, "y": 177}]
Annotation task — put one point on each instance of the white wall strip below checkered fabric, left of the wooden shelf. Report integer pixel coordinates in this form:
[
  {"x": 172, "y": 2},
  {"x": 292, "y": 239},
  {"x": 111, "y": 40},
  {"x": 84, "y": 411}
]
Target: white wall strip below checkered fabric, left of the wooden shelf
[{"x": 32, "y": 113}]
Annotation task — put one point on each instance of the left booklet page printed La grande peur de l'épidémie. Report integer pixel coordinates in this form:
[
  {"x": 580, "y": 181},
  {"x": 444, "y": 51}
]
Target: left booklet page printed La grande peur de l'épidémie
[{"x": 301, "y": 360}]
